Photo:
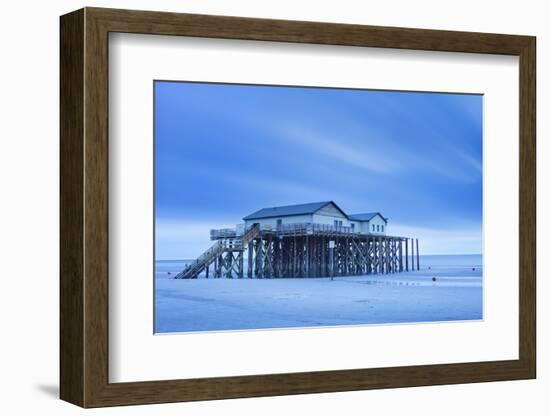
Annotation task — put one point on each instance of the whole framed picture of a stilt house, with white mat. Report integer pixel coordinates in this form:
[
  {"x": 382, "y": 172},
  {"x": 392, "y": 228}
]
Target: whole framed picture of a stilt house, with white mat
[{"x": 255, "y": 207}]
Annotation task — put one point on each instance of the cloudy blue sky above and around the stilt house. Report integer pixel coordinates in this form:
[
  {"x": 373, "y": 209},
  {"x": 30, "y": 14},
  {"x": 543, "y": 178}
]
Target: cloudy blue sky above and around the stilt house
[{"x": 223, "y": 151}]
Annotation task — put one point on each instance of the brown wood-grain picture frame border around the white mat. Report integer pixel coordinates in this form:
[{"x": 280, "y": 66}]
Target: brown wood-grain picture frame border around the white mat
[{"x": 84, "y": 207}]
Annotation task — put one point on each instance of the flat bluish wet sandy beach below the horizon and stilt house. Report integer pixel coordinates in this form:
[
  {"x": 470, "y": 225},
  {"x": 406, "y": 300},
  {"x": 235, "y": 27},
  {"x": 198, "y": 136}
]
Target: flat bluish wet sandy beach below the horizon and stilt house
[{"x": 238, "y": 304}]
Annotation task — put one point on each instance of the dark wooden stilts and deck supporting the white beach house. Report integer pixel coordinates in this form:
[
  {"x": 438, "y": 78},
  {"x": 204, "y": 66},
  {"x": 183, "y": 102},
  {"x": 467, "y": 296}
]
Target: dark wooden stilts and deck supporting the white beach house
[{"x": 308, "y": 253}]
